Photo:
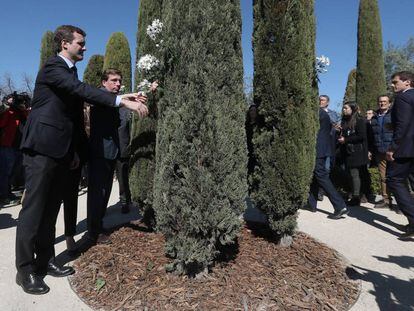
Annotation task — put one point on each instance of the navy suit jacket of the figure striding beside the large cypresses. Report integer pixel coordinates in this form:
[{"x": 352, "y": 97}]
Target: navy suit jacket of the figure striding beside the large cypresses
[{"x": 324, "y": 143}]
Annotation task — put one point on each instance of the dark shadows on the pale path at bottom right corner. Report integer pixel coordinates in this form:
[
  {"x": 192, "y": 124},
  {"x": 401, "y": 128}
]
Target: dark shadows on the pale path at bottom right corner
[{"x": 390, "y": 293}]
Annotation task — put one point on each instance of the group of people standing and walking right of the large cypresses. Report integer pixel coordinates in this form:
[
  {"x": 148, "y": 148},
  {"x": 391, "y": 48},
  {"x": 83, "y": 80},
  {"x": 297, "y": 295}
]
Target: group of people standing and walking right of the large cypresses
[{"x": 352, "y": 143}]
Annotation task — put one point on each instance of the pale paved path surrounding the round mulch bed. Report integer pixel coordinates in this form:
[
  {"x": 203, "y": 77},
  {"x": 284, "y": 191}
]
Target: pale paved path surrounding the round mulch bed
[{"x": 367, "y": 238}]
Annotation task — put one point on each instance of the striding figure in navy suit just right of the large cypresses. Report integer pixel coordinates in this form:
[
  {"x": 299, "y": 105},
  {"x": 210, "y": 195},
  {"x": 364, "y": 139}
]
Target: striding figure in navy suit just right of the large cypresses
[{"x": 325, "y": 149}]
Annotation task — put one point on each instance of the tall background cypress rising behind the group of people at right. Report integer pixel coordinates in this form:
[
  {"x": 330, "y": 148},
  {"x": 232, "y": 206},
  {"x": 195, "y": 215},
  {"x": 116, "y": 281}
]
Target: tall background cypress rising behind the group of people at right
[{"x": 370, "y": 79}]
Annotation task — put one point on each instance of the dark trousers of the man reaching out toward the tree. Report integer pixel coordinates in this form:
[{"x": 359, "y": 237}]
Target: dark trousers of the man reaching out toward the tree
[{"x": 36, "y": 227}]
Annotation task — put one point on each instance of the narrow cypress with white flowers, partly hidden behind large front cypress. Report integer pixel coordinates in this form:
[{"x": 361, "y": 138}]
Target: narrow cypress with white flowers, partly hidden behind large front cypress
[{"x": 144, "y": 130}]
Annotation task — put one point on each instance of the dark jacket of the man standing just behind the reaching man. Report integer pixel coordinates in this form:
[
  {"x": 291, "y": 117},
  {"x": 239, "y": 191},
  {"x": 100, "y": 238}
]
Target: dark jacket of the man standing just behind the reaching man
[{"x": 104, "y": 138}]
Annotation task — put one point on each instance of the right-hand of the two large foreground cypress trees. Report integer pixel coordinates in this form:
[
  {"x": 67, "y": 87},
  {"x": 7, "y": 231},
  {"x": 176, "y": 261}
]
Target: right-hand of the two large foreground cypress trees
[{"x": 285, "y": 90}]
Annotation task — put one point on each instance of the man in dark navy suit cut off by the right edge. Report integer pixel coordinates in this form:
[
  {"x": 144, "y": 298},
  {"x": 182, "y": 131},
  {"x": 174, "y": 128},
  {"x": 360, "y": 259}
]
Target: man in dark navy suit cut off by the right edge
[{"x": 400, "y": 153}]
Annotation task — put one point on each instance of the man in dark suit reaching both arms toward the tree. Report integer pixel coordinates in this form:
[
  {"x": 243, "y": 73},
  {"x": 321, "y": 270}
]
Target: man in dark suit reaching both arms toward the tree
[{"x": 50, "y": 145}]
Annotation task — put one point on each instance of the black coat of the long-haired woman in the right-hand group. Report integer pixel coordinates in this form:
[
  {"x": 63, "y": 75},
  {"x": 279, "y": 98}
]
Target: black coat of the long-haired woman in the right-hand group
[{"x": 355, "y": 149}]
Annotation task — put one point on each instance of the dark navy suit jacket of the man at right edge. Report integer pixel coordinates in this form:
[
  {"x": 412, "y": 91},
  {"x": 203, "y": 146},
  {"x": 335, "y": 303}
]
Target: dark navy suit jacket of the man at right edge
[{"x": 402, "y": 117}]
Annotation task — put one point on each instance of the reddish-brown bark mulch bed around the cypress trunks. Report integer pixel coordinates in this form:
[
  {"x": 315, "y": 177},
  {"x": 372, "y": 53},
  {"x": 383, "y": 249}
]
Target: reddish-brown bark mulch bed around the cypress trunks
[{"x": 129, "y": 274}]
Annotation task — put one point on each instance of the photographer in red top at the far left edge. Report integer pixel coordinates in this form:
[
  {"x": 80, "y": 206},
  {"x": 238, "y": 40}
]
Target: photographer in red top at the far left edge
[{"x": 13, "y": 114}]
